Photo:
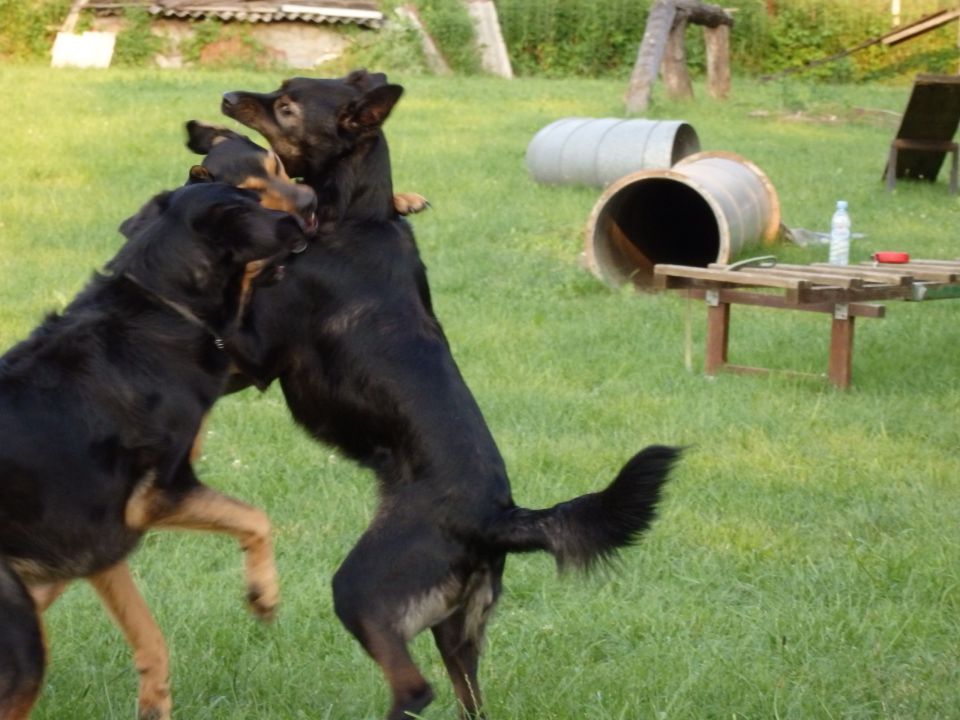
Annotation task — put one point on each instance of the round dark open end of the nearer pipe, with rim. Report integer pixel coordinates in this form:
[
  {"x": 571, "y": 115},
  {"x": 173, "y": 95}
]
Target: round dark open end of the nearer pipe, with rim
[{"x": 654, "y": 220}]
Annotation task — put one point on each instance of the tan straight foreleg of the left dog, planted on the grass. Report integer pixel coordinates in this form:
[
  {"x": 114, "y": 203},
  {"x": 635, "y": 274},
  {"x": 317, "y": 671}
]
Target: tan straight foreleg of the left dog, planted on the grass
[{"x": 123, "y": 601}]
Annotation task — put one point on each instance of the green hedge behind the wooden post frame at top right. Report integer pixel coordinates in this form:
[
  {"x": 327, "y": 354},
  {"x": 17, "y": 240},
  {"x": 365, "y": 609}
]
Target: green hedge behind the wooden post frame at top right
[{"x": 601, "y": 37}]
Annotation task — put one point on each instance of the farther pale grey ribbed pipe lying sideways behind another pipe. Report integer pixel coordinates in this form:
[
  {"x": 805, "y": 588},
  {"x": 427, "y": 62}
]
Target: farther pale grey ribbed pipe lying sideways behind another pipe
[{"x": 597, "y": 151}]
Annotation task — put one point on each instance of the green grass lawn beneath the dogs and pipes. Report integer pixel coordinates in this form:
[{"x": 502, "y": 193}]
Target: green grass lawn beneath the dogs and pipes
[{"x": 806, "y": 563}]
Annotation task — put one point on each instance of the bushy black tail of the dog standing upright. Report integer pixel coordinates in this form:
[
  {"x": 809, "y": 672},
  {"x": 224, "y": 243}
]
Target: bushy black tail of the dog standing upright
[{"x": 591, "y": 528}]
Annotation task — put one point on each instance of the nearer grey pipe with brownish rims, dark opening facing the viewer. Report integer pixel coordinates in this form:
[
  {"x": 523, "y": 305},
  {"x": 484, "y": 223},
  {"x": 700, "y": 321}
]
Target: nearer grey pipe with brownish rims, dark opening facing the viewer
[{"x": 708, "y": 208}]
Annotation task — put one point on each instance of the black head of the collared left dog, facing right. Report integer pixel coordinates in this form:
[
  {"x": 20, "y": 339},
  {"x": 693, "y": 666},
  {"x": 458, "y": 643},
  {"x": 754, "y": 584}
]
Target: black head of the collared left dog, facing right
[{"x": 202, "y": 244}]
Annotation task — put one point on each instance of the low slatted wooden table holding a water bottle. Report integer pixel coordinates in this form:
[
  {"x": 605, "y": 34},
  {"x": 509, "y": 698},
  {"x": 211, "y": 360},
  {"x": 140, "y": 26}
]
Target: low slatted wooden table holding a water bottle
[{"x": 846, "y": 292}]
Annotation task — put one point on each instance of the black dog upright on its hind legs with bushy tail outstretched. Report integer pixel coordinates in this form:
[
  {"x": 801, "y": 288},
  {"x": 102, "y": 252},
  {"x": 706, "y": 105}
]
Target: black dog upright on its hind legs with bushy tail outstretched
[{"x": 364, "y": 365}]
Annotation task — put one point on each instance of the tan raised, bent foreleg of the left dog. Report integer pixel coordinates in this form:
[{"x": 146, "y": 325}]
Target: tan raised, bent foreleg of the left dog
[{"x": 202, "y": 508}]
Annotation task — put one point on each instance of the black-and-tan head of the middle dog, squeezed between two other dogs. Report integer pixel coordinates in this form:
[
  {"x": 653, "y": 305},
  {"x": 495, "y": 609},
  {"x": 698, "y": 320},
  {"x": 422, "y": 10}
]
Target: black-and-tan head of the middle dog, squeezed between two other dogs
[{"x": 234, "y": 159}]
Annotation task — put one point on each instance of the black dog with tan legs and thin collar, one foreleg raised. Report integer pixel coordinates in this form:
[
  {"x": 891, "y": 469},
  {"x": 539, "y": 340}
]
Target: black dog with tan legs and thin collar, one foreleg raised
[{"x": 99, "y": 409}]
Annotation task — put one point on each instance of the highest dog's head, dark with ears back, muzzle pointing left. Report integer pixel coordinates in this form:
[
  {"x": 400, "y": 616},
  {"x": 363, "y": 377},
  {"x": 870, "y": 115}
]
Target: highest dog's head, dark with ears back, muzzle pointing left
[{"x": 312, "y": 123}]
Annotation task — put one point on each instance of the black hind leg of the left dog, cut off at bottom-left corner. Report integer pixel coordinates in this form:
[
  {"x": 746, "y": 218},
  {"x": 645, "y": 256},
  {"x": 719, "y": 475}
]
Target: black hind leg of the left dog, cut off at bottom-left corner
[{"x": 22, "y": 651}]
